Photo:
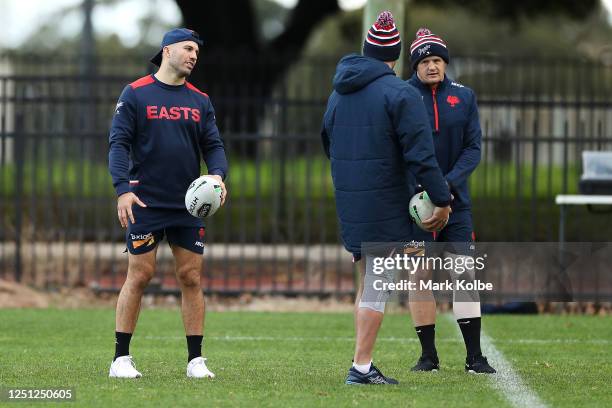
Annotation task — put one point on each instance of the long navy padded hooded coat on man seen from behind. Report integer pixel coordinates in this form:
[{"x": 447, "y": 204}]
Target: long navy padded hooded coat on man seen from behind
[{"x": 376, "y": 133}]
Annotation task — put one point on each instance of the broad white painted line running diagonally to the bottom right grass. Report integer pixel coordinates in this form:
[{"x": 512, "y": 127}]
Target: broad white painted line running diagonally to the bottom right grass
[{"x": 506, "y": 381}]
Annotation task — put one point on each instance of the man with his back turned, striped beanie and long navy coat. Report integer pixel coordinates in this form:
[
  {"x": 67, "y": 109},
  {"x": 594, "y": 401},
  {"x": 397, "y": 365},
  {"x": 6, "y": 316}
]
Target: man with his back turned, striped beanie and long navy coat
[{"x": 378, "y": 138}]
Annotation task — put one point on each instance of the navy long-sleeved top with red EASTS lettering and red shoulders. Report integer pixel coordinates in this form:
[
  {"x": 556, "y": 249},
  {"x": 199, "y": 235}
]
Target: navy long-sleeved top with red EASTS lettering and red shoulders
[{"x": 158, "y": 135}]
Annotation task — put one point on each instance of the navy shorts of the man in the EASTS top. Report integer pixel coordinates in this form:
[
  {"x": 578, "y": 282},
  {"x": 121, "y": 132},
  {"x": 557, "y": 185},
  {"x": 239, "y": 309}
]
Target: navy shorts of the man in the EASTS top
[{"x": 179, "y": 227}]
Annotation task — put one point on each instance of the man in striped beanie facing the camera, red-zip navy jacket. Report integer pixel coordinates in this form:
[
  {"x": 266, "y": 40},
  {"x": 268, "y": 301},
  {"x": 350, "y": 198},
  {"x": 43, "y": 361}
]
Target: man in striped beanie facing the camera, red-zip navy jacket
[{"x": 453, "y": 115}]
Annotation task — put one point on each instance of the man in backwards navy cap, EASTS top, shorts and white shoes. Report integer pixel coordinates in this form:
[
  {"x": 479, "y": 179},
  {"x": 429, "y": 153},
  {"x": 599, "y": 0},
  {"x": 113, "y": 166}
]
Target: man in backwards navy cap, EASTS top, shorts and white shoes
[{"x": 161, "y": 129}]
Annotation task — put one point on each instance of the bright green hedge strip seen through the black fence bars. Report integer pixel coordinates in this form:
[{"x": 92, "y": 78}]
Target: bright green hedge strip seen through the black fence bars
[{"x": 304, "y": 177}]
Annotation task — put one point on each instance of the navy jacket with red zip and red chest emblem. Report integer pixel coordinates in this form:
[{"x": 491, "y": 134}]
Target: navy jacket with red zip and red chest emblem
[{"x": 453, "y": 115}]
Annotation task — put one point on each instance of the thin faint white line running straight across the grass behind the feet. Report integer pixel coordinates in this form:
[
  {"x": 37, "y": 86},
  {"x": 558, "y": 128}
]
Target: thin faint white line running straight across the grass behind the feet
[{"x": 385, "y": 339}]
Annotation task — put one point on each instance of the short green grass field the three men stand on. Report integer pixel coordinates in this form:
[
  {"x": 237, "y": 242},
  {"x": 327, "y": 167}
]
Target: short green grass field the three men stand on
[{"x": 300, "y": 359}]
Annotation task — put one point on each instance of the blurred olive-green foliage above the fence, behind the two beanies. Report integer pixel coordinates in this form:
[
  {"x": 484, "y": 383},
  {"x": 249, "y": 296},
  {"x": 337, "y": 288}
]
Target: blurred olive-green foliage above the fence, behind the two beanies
[{"x": 469, "y": 33}]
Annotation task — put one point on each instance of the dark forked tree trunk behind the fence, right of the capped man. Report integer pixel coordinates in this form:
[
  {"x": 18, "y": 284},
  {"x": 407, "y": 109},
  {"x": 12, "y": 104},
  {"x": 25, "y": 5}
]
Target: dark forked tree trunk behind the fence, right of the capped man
[{"x": 234, "y": 49}]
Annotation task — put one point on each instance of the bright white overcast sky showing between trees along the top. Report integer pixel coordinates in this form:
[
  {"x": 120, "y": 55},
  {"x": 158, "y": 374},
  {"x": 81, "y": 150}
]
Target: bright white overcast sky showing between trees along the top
[{"x": 20, "y": 18}]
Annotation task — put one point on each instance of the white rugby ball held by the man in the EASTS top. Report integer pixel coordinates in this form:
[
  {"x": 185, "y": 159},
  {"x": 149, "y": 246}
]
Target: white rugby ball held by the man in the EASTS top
[{"x": 203, "y": 197}]
